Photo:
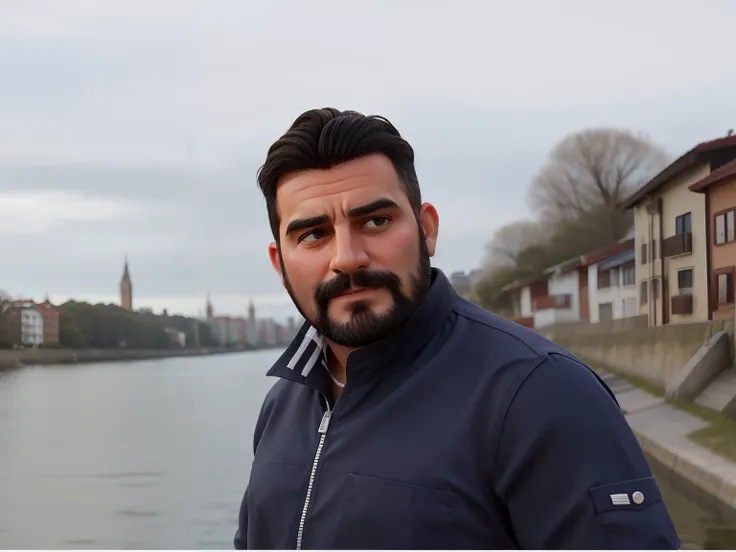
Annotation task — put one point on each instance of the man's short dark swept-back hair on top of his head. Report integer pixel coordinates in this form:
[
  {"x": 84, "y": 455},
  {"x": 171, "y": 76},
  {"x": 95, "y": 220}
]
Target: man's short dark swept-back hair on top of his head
[{"x": 323, "y": 138}]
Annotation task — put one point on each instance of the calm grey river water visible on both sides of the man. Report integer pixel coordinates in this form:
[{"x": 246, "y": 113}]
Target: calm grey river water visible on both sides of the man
[{"x": 156, "y": 455}]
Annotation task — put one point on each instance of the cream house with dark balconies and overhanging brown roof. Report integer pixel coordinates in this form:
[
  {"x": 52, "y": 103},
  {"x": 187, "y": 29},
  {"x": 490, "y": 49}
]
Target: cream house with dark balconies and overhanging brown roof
[{"x": 671, "y": 236}]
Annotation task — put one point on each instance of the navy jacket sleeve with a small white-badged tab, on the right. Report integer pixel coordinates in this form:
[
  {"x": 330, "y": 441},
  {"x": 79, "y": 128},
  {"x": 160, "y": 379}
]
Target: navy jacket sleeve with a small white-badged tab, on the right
[{"x": 570, "y": 470}]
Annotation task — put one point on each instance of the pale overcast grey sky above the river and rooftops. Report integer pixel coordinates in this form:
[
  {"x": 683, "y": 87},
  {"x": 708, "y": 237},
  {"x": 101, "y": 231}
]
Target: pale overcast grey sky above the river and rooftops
[{"x": 137, "y": 127}]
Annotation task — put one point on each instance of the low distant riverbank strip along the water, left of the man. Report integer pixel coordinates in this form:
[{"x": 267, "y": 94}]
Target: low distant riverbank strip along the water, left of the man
[{"x": 26, "y": 357}]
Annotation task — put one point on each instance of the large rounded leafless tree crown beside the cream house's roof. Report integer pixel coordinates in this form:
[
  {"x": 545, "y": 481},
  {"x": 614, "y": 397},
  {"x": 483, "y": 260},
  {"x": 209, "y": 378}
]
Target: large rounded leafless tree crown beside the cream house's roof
[{"x": 593, "y": 168}]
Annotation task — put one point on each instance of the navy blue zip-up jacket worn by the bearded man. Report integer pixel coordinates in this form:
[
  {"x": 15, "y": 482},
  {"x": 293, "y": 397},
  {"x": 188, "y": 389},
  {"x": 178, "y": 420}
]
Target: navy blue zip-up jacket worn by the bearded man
[{"x": 464, "y": 430}]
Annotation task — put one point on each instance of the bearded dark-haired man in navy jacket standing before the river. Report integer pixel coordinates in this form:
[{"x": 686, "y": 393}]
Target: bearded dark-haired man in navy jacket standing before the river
[{"x": 406, "y": 417}]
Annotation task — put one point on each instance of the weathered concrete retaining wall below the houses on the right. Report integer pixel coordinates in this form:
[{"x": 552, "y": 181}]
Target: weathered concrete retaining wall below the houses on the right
[{"x": 656, "y": 355}]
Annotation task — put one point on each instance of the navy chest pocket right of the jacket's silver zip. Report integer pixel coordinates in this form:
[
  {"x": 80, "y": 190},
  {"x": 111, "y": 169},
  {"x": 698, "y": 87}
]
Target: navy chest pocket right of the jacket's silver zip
[{"x": 380, "y": 514}]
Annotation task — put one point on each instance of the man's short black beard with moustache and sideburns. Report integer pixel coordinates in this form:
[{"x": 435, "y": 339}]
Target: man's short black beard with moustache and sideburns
[{"x": 366, "y": 327}]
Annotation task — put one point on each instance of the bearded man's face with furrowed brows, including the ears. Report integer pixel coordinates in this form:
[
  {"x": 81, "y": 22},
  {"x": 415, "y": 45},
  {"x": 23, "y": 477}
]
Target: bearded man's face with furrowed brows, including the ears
[{"x": 352, "y": 255}]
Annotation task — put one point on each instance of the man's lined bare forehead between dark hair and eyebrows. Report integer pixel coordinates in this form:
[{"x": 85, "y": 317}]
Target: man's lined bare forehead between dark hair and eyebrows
[{"x": 337, "y": 190}]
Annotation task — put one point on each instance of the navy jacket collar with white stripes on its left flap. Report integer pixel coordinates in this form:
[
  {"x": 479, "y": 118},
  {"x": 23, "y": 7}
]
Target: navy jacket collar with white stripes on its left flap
[{"x": 304, "y": 360}]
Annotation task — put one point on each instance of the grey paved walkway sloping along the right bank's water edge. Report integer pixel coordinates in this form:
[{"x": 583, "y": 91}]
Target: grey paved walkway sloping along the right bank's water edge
[{"x": 663, "y": 430}]
